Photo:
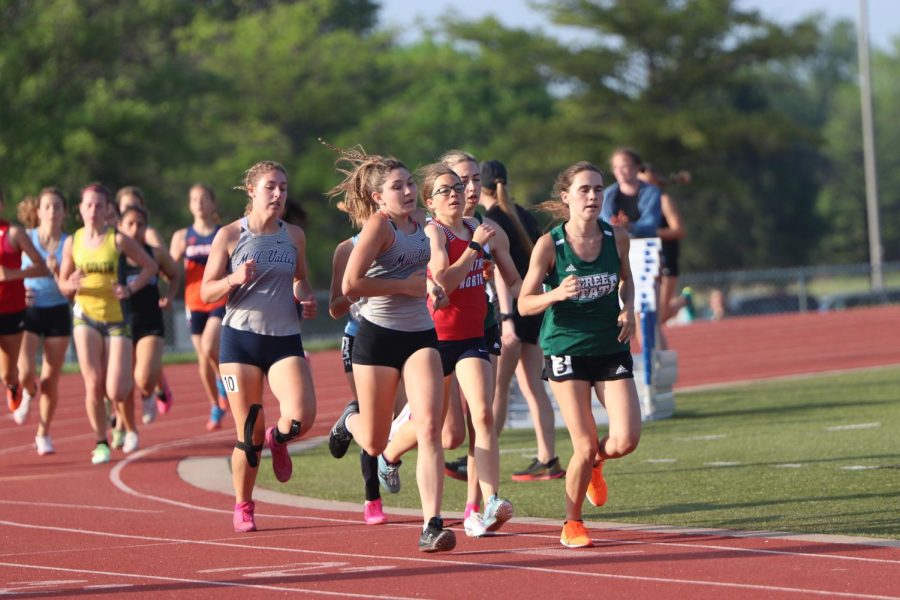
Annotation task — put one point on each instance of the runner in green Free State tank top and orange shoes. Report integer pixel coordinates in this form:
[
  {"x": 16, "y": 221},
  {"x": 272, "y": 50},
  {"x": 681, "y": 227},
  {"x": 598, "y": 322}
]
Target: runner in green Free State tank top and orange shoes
[{"x": 588, "y": 300}]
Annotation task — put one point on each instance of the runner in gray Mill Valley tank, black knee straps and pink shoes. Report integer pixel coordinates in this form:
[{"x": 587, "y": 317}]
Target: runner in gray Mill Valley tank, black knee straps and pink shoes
[{"x": 259, "y": 263}]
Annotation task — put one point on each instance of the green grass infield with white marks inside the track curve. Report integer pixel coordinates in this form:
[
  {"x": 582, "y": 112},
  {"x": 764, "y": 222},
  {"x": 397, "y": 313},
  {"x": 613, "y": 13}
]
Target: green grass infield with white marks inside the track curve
[{"x": 765, "y": 456}]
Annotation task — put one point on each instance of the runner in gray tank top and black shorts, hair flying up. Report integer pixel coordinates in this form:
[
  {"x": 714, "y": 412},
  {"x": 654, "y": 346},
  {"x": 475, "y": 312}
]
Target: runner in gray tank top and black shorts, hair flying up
[{"x": 396, "y": 337}]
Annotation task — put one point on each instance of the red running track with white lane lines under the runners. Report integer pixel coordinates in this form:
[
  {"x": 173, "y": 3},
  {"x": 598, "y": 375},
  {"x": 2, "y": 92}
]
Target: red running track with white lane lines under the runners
[{"x": 159, "y": 521}]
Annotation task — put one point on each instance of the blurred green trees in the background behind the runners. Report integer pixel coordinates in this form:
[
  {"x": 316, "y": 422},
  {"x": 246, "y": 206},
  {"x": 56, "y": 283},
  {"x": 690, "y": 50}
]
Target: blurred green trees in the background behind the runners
[{"x": 164, "y": 93}]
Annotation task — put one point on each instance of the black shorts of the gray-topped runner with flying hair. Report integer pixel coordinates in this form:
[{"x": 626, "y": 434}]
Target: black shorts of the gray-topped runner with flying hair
[{"x": 380, "y": 346}]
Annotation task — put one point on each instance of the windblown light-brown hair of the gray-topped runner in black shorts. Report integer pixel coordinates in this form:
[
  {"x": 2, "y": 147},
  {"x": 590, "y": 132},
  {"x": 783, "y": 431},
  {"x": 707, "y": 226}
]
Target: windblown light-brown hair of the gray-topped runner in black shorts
[{"x": 363, "y": 174}]
